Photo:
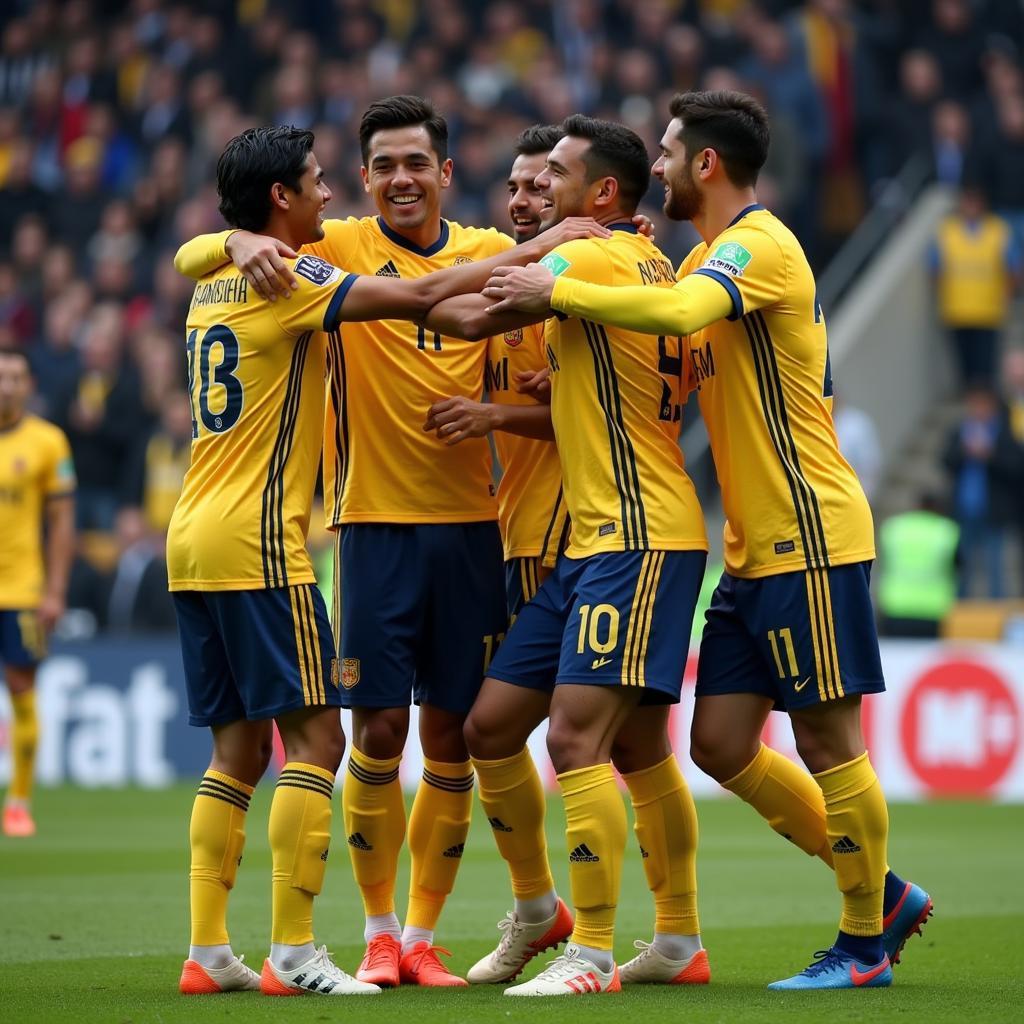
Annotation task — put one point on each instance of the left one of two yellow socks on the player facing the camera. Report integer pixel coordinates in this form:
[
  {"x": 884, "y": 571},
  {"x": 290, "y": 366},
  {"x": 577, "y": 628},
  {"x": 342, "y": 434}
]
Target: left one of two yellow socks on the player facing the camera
[{"x": 375, "y": 827}]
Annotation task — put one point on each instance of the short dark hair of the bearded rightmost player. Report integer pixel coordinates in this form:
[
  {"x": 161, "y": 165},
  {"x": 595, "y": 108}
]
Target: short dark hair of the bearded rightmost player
[{"x": 733, "y": 124}]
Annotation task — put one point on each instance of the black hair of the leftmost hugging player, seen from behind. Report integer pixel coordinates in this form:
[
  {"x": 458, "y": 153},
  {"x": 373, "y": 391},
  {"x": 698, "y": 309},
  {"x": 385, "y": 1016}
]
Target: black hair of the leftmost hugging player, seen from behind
[{"x": 251, "y": 164}]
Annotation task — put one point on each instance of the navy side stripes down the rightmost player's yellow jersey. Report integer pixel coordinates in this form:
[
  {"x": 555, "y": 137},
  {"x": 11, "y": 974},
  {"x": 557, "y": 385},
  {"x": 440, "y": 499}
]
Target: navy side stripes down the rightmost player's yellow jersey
[{"x": 805, "y": 501}]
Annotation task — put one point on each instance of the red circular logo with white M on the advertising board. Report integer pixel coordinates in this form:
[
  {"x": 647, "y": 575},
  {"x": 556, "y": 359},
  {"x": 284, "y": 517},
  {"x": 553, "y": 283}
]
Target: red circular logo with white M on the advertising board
[{"x": 961, "y": 730}]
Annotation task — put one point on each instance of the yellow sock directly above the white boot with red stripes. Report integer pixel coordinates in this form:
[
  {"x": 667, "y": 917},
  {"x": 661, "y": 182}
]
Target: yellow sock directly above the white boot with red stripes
[{"x": 595, "y": 831}]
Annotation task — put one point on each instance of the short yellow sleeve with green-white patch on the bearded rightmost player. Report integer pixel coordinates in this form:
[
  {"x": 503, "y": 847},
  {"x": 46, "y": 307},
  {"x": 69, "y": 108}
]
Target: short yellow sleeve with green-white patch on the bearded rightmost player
[{"x": 750, "y": 265}]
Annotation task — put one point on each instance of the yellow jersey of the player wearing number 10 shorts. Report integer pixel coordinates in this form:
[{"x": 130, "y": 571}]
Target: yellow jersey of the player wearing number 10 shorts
[{"x": 616, "y": 405}]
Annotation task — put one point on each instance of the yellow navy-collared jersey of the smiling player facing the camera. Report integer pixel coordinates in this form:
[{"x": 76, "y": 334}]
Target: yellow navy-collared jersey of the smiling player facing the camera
[{"x": 379, "y": 464}]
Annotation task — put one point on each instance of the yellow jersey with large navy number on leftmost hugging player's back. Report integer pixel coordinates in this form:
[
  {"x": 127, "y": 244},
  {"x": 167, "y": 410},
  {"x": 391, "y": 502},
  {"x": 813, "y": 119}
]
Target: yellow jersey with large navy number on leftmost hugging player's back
[{"x": 257, "y": 383}]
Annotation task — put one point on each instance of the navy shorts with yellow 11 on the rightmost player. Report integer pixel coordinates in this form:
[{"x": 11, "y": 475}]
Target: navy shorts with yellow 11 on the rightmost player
[{"x": 800, "y": 638}]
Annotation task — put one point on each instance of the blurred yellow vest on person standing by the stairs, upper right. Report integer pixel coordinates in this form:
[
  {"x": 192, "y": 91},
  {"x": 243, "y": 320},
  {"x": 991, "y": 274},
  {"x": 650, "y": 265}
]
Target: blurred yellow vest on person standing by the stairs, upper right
[{"x": 973, "y": 276}]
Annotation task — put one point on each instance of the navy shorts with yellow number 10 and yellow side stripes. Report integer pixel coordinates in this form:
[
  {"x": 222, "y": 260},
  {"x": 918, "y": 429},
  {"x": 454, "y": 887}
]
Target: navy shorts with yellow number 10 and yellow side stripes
[{"x": 618, "y": 619}]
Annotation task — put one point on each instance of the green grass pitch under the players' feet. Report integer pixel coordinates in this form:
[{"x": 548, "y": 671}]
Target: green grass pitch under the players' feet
[{"x": 94, "y": 922}]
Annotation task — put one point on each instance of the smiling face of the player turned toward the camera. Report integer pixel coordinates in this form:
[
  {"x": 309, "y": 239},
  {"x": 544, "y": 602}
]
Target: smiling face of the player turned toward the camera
[{"x": 405, "y": 178}]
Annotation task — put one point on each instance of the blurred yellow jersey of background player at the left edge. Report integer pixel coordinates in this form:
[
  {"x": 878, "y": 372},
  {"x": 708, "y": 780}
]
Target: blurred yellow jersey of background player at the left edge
[{"x": 35, "y": 467}]
